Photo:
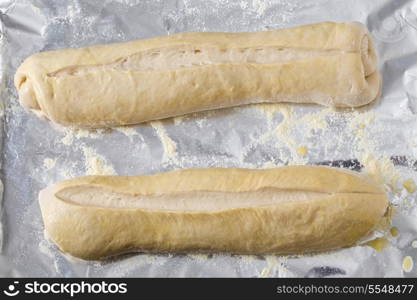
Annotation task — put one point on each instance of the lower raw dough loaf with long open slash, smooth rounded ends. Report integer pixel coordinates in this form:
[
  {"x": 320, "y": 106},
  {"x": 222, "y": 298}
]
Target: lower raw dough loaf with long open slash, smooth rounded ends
[{"x": 288, "y": 210}]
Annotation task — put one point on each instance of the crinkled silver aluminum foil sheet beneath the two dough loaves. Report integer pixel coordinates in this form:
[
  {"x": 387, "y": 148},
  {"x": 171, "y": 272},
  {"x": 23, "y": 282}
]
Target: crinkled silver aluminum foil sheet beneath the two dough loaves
[{"x": 380, "y": 139}]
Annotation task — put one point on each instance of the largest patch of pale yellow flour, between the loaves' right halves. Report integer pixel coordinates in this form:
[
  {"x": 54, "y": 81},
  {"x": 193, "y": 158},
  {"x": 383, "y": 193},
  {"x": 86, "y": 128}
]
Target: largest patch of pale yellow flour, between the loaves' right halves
[{"x": 362, "y": 126}]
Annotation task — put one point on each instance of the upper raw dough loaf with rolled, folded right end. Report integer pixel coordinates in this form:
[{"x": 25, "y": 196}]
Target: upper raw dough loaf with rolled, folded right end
[{"x": 332, "y": 64}]
